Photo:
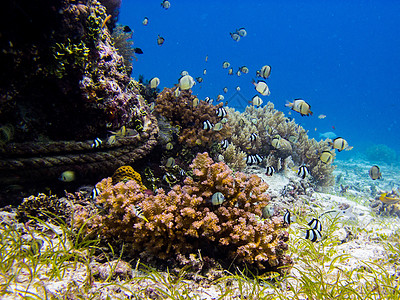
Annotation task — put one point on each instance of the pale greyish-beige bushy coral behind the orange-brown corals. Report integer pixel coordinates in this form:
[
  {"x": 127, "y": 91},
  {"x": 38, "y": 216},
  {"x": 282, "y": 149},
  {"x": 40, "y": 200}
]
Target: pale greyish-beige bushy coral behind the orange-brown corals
[{"x": 267, "y": 124}]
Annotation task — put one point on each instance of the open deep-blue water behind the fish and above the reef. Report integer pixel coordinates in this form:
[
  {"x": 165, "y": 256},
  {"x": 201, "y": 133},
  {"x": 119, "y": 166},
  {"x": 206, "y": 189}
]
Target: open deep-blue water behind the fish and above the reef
[{"x": 342, "y": 57}]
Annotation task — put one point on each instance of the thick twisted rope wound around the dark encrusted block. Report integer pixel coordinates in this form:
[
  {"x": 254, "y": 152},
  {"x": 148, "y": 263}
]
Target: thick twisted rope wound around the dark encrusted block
[{"x": 21, "y": 162}]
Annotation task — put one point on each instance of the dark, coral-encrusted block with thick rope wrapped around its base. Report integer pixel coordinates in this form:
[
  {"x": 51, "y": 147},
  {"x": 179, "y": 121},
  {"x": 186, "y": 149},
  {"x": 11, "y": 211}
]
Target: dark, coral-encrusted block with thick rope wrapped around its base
[{"x": 65, "y": 86}]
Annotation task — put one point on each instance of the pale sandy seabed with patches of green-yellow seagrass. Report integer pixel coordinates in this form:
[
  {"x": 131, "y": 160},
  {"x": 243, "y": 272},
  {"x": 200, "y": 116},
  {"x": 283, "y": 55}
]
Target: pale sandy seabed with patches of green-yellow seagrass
[{"x": 359, "y": 250}]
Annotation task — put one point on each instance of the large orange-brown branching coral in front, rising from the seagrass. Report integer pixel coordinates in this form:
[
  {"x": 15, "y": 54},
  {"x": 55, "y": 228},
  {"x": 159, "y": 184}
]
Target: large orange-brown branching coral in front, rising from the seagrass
[{"x": 184, "y": 220}]
